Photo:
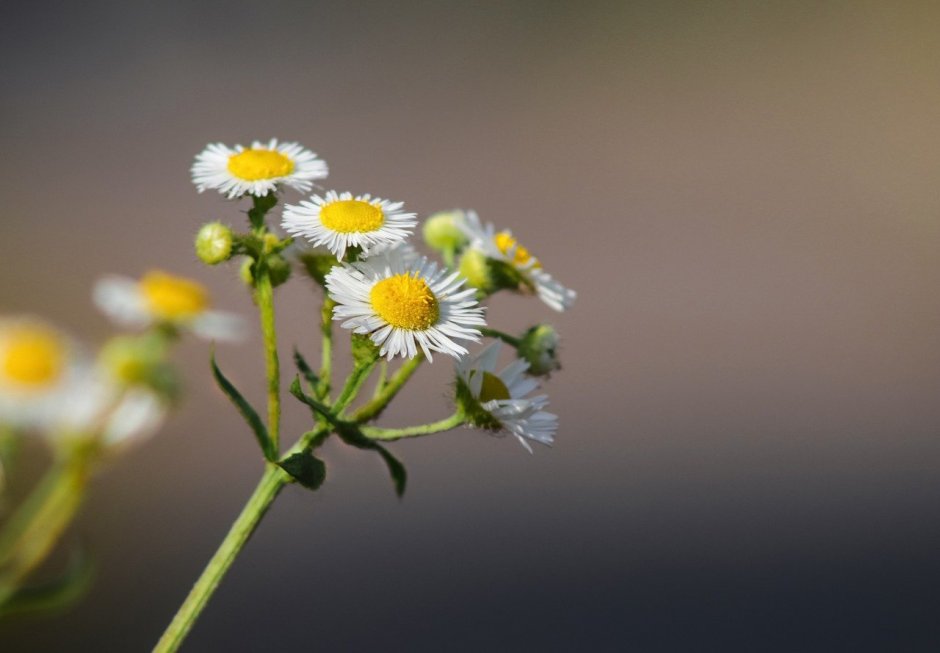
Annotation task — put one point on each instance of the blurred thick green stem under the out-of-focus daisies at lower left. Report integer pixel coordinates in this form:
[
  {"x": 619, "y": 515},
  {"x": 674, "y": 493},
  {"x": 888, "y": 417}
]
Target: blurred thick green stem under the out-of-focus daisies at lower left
[{"x": 36, "y": 527}]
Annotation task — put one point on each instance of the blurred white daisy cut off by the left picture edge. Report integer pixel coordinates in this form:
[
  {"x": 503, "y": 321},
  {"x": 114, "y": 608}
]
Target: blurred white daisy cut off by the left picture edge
[{"x": 39, "y": 368}]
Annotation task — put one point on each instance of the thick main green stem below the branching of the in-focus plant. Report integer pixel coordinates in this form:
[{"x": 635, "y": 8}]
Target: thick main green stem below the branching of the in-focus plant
[{"x": 272, "y": 482}]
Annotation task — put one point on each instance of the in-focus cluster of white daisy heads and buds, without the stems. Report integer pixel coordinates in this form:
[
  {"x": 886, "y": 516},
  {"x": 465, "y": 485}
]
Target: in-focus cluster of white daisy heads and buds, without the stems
[{"x": 380, "y": 287}]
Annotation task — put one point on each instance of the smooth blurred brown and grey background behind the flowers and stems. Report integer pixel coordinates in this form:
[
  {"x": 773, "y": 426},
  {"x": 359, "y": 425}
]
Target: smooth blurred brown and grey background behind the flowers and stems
[{"x": 744, "y": 196}]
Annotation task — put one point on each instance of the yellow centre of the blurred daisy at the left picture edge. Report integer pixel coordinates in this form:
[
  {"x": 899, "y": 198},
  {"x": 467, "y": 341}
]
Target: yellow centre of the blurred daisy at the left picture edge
[{"x": 33, "y": 357}]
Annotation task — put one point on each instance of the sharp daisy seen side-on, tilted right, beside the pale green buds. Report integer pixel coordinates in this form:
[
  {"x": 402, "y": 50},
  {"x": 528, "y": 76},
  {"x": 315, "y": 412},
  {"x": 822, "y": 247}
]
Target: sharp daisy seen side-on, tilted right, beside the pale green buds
[{"x": 501, "y": 246}]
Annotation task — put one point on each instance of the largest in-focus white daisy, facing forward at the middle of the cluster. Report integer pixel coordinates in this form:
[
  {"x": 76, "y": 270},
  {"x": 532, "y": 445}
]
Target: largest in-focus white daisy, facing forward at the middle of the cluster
[{"x": 404, "y": 303}]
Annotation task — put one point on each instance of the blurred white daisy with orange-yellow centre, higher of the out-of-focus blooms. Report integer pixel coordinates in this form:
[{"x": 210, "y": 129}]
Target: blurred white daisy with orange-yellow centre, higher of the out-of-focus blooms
[{"x": 161, "y": 298}]
